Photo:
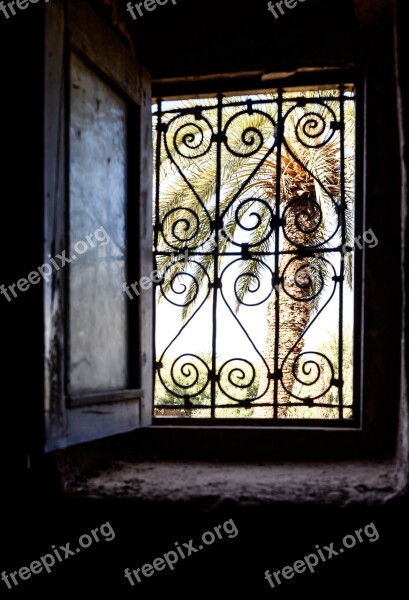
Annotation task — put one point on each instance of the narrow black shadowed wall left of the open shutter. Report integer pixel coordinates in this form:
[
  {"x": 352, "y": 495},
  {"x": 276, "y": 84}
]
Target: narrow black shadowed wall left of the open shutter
[{"x": 21, "y": 241}]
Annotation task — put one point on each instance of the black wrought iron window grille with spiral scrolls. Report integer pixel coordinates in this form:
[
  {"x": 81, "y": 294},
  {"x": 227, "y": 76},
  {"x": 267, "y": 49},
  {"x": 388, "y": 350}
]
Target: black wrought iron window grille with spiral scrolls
[{"x": 253, "y": 226}]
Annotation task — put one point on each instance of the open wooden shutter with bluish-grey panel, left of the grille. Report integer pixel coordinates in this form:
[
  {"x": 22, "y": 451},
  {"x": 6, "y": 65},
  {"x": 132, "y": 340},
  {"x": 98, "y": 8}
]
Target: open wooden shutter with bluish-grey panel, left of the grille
[{"x": 98, "y": 177}]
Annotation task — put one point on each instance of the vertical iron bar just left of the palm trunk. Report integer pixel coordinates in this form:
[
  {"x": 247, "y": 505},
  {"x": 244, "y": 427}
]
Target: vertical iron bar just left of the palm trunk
[{"x": 280, "y": 134}]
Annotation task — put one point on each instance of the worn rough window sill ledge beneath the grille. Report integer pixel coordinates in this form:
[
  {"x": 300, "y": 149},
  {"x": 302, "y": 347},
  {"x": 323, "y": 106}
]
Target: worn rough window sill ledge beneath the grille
[{"x": 336, "y": 483}]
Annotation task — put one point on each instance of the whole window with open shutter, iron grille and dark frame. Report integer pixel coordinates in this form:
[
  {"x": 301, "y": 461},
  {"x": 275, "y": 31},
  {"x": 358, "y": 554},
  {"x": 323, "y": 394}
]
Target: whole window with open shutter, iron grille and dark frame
[{"x": 244, "y": 186}]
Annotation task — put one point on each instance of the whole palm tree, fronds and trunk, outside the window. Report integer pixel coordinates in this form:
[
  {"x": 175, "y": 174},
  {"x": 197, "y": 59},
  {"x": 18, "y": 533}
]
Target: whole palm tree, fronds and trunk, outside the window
[{"x": 298, "y": 180}]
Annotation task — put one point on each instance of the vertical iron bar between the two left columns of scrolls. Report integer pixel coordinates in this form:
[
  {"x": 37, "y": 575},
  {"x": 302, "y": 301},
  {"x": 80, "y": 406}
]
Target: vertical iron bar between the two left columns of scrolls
[{"x": 216, "y": 251}]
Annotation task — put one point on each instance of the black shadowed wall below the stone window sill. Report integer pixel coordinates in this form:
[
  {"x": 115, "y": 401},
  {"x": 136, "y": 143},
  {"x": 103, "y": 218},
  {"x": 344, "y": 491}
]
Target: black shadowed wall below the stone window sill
[{"x": 268, "y": 538}]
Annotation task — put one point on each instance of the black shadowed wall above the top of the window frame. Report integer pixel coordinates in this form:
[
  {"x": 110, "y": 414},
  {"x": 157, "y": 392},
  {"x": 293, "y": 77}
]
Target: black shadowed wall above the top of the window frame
[{"x": 223, "y": 37}]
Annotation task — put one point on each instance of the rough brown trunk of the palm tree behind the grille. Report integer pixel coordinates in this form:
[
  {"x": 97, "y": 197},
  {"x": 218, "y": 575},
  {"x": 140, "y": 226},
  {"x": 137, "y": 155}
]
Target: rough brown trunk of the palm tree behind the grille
[{"x": 310, "y": 179}]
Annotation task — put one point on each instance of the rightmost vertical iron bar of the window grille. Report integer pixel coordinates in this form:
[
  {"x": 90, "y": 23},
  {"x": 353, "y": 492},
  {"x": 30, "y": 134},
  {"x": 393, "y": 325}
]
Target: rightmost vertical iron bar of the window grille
[{"x": 342, "y": 273}]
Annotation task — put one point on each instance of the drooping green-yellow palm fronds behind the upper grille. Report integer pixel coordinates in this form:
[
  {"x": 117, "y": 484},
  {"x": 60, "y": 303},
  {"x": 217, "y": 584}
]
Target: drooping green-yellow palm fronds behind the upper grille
[{"x": 190, "y": 185}]
